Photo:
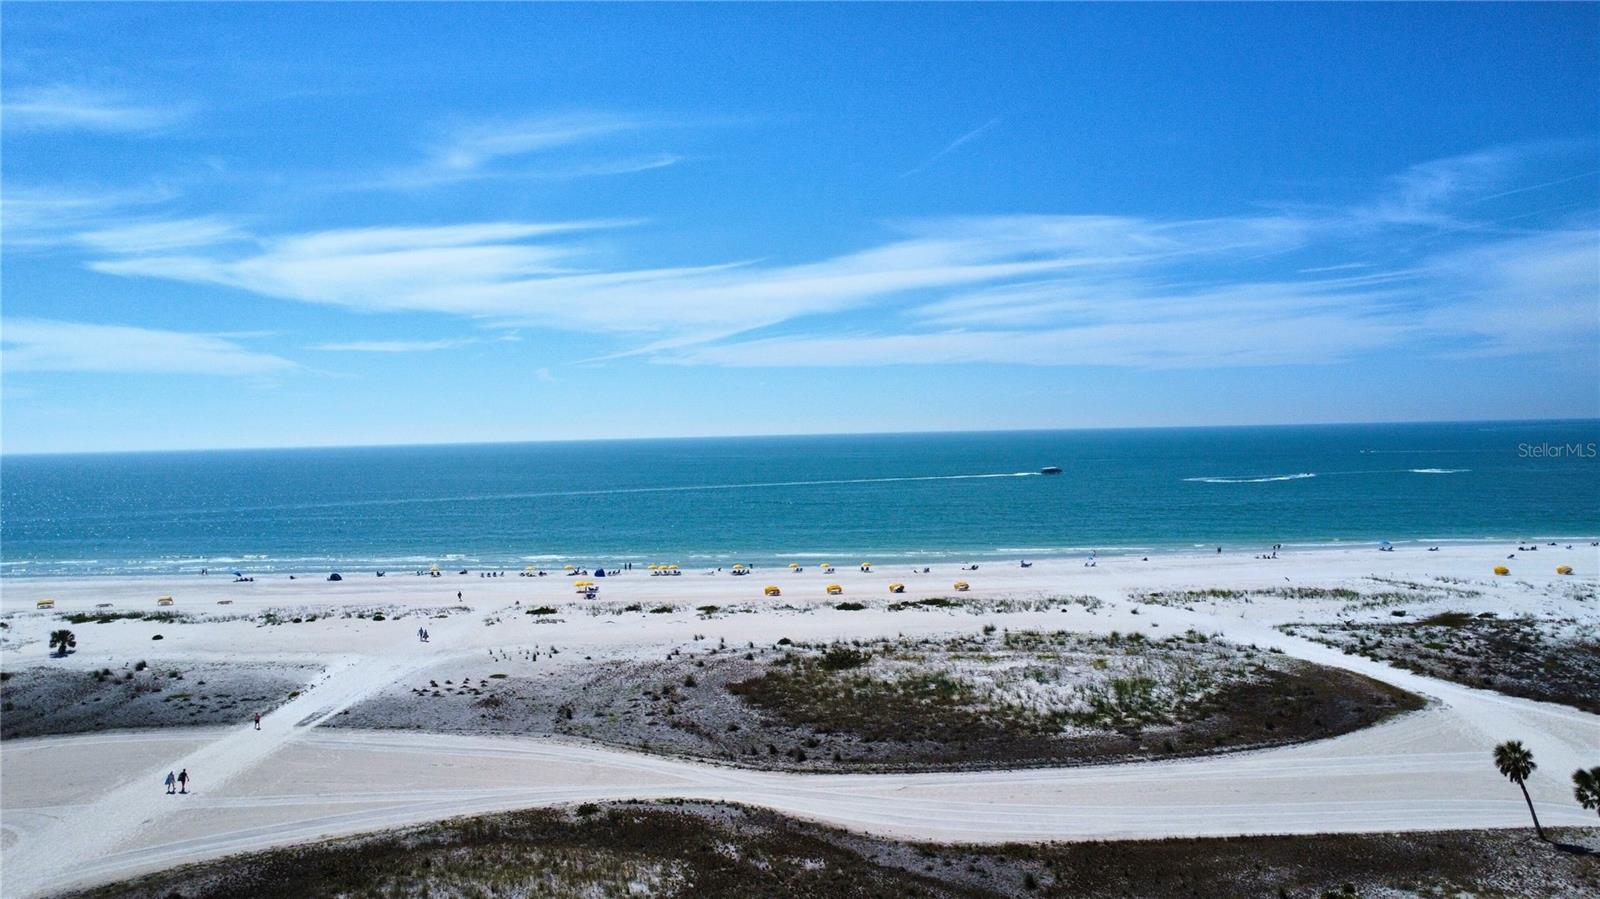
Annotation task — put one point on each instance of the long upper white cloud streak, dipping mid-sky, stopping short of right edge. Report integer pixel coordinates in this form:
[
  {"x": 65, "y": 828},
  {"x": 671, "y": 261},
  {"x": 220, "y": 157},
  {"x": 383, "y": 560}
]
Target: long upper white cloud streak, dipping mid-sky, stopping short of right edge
[{"x": 516, "y": 274}]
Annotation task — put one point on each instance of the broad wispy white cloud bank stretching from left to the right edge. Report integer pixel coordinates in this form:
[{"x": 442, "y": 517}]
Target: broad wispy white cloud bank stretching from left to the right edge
[{"x": 1014, "y": 289}]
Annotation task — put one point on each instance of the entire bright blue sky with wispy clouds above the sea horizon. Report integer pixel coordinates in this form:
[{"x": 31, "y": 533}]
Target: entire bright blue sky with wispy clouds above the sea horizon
[{"x": 322, "y": 225}]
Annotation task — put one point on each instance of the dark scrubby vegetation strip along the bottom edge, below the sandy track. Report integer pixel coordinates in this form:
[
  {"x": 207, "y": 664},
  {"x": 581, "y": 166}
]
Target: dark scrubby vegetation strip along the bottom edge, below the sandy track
[{"x": 713, "y": 852}]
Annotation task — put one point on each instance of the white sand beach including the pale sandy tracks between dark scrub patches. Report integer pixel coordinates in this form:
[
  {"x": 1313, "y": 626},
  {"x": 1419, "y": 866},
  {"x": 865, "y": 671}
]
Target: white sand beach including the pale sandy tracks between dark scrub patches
[{"x": 90, "y": 809}]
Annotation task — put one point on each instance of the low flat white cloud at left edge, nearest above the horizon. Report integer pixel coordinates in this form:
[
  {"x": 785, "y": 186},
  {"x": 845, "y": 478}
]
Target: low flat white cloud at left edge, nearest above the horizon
[{"x": 41, "y": 345}]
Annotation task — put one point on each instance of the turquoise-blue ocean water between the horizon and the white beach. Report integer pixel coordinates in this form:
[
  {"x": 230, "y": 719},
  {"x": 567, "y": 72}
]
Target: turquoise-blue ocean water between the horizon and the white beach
[{"x": 881, "y": 498}]
